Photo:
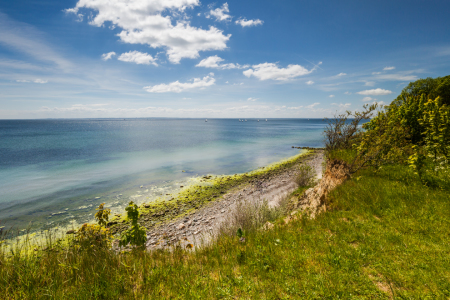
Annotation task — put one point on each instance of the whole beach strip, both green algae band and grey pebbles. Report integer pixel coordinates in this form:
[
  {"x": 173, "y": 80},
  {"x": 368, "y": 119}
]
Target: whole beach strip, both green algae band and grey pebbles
[{"x": 186, "y": 219}]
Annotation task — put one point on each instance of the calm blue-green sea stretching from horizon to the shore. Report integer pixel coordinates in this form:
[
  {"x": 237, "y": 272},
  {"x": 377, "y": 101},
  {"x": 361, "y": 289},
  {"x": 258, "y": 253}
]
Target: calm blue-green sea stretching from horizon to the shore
[{"x": 58, "y": 171}]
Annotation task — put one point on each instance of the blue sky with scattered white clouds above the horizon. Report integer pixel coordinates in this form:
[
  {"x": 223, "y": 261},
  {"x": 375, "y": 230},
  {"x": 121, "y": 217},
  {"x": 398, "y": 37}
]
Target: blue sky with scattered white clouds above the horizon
[{"x": 223, "y": 59}]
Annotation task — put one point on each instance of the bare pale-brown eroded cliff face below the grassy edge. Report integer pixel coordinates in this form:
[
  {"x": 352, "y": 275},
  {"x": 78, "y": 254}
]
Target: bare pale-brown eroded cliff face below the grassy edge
[{"x": 313, "y": 201}]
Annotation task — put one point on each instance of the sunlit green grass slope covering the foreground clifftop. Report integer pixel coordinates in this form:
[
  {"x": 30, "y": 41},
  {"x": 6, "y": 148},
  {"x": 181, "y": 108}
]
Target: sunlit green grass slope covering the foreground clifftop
[{"x": 386, "y": 235}]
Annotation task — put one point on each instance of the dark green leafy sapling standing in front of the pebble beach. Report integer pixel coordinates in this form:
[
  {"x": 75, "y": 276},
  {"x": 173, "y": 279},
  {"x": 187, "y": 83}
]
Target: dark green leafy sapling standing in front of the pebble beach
[{"x": 136, "y": 234}]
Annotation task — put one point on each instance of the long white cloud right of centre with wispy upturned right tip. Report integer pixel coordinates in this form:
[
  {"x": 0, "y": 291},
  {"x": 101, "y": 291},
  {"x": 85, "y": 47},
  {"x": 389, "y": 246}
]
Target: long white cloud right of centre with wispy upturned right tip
[{"x": 267, "y": 71}]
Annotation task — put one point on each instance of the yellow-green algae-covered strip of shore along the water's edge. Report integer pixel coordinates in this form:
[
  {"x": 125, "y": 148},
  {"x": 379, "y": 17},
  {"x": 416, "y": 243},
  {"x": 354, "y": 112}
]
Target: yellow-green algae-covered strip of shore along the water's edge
[{"x": 203, "y": 193}]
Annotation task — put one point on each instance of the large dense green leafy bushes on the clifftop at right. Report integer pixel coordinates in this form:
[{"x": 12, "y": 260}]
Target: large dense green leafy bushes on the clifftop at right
[{"x": 413, "y": 129}]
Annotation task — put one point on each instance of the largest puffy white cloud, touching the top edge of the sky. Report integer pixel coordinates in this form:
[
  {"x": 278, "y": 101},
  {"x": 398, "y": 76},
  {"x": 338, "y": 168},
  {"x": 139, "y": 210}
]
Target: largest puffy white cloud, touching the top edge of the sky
[{"x": 143, "y": 22}]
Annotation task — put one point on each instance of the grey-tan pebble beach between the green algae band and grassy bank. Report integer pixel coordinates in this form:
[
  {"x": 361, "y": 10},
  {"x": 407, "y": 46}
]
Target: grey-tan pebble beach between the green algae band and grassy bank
[{"x": 200, "y": 226}]
